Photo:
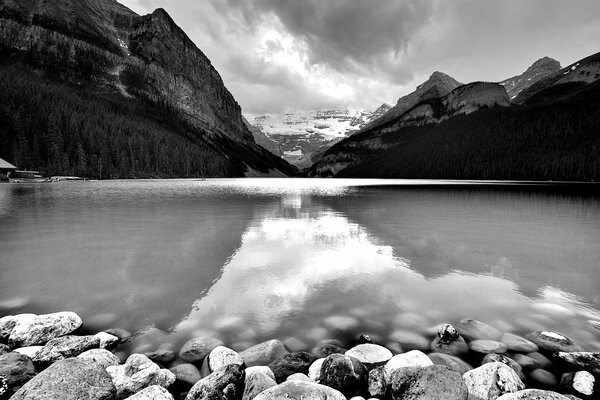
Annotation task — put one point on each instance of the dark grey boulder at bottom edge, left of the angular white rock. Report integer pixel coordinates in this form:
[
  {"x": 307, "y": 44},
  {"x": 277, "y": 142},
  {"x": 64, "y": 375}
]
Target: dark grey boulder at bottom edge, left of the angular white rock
[{"x": 435, "y": 382}]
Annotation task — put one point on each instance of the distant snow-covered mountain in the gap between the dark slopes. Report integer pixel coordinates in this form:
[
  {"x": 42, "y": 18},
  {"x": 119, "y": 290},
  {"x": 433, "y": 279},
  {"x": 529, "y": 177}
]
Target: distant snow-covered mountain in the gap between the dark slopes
[{"x": 301, "y": 136}]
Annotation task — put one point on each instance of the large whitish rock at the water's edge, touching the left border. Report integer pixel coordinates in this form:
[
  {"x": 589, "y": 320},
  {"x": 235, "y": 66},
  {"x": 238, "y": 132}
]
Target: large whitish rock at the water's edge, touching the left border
[{"x": 30, "y": 329}]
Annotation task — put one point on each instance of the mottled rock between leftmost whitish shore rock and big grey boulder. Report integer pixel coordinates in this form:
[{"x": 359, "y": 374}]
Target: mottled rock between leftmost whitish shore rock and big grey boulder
[{"x": 64, "y": 347}]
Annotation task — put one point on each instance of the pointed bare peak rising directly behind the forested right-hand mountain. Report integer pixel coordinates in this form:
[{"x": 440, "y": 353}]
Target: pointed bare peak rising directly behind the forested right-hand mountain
[{"x": 438, "y": 85}]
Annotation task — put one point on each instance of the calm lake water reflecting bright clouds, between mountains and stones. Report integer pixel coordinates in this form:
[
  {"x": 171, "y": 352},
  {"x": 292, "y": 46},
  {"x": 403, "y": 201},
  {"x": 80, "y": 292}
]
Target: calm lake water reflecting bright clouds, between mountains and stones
[{"x": 252, "y": 259}]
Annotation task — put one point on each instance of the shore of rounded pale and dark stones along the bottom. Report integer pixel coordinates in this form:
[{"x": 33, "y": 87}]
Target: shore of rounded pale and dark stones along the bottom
[{"x": 47, "y": 357}]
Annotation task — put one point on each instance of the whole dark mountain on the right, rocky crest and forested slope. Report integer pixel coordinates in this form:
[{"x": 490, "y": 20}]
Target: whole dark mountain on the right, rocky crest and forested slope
[{"x": 474, "y": 132}]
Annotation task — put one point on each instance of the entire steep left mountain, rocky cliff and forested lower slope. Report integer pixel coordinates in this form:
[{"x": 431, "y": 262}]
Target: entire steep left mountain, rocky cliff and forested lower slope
[{"x": 142, "y": 70}]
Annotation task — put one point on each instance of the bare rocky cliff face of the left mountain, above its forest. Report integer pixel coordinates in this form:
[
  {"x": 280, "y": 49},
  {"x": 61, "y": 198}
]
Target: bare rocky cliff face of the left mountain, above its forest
[{"x": 108, "y": 49}]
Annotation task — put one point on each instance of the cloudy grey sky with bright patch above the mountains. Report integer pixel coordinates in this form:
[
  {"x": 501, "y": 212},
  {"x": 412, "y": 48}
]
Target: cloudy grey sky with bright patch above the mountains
[{"x": 284, "y": 55}]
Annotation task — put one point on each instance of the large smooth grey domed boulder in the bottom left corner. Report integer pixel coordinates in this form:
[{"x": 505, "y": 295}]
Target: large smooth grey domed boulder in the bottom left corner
[{"x": 70, "y": 379}]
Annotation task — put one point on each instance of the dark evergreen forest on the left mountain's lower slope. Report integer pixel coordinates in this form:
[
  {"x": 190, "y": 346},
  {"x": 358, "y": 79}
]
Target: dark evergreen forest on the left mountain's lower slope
[{"x": 61, "y": 129}]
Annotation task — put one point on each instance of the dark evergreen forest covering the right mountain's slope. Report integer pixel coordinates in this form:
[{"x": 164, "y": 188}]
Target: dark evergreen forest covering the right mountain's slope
[{"x": 554, "y": 136}]
